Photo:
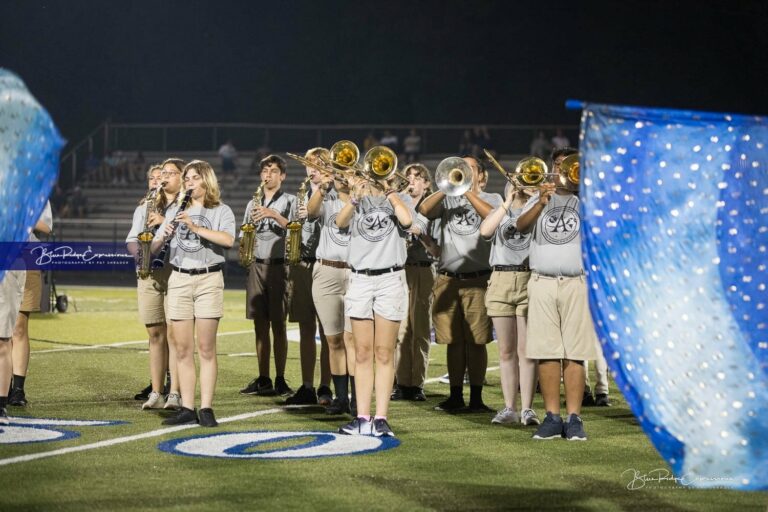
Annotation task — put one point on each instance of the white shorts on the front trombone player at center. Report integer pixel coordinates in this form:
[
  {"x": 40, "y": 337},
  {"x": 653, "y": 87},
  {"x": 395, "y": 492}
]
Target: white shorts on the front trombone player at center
[{"x": 385, "y": 295}]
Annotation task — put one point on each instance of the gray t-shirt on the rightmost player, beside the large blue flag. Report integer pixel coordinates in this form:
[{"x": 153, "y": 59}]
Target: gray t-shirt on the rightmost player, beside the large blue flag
[{"x": 556, "y": 237}]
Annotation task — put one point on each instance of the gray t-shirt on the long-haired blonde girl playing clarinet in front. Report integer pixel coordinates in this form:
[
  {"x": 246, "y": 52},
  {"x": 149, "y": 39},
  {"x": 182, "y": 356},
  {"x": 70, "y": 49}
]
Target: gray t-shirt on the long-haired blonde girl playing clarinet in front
[{"x": 188, "y": 250}]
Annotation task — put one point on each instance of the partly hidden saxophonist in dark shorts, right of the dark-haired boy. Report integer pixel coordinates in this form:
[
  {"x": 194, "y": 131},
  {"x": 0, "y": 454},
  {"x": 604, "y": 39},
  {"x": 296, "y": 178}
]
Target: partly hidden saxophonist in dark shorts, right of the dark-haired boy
[{"x": 302, "y": 308}]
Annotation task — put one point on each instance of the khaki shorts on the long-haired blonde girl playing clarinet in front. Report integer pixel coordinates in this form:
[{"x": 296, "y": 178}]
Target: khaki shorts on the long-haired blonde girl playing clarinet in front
[{"x": 199, "y": 296}]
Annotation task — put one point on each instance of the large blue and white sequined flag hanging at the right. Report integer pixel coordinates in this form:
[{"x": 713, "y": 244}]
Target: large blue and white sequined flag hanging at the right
[{"x": 675, "y": 212}]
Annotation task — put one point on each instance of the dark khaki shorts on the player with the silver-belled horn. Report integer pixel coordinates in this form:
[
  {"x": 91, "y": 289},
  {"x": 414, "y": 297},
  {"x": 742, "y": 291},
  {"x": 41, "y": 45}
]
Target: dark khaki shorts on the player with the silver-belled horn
[{"x": 458, "y": 310}]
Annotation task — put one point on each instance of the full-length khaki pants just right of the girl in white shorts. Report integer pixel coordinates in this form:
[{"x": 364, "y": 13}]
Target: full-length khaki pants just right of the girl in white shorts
[{"x": 413, "y": 339}]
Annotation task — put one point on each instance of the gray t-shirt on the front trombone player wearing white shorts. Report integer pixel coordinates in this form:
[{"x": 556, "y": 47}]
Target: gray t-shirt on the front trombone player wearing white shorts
[{"x": 378, "y": 240}]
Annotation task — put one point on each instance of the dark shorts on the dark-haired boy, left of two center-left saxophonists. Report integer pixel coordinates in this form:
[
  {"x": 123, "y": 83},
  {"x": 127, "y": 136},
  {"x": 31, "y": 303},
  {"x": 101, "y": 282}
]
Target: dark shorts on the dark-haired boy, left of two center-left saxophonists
[{"x": 266, "y": 294}]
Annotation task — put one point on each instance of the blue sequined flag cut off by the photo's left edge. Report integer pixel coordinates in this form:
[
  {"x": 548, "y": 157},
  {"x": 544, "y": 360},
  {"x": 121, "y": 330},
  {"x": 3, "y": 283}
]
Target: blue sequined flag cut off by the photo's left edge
[{"x": 29, "y": 163}]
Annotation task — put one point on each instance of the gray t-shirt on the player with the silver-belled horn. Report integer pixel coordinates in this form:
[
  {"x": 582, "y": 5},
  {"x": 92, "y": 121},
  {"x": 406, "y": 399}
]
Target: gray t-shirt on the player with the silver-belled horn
[{"x": 462, "y": 247}]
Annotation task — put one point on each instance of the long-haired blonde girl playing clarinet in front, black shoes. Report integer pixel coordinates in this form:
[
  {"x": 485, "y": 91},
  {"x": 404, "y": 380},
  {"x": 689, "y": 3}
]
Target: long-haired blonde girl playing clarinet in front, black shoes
[{"x": 197, "y": 239}]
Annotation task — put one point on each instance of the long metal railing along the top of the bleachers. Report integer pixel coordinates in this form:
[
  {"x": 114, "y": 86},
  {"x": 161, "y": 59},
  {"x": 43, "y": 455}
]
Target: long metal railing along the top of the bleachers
[{"x": 253, "y": 137}]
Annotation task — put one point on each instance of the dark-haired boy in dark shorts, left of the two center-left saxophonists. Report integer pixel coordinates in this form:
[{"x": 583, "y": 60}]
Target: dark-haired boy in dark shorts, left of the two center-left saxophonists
[{"x": 266, "y": 293}]
